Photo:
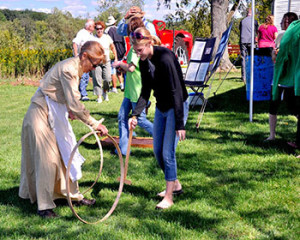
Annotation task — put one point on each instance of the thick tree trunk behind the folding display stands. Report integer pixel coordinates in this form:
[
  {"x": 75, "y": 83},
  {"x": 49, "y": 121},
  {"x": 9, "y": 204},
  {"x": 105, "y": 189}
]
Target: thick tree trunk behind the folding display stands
[{"x": 219, "y": 25}]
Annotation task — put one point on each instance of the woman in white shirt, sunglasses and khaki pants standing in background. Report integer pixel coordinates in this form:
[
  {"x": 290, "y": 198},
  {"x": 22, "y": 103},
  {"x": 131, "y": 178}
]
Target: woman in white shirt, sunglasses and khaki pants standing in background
[{"x": 102, "y": 73}]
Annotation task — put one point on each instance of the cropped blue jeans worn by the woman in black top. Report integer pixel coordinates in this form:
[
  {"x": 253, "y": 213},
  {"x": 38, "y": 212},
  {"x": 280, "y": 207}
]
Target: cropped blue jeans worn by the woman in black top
[{"x": 165, "y": 140}]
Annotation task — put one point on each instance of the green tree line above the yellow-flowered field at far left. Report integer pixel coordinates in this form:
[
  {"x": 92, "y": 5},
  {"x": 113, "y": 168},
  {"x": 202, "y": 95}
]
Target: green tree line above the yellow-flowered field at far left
[{"x": 28, "y": 29}]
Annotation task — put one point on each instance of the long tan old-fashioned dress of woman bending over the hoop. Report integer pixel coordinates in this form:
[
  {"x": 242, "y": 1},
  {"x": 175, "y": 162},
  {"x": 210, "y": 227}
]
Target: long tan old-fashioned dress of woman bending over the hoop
[{"x": 42, "y": 169}]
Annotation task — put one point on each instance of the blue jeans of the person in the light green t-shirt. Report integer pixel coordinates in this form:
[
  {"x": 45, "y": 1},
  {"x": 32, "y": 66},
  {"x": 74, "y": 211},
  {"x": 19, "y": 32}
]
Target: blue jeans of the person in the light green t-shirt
[{"x": 143, "y": 122}]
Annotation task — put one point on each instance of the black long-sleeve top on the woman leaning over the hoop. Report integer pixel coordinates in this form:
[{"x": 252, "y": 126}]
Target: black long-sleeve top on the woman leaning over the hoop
[{"x": 163, "y": 74}]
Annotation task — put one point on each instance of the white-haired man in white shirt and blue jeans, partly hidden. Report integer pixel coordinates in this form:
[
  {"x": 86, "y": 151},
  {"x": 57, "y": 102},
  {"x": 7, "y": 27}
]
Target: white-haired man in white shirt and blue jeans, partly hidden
[{"x": 83, "y": 36}]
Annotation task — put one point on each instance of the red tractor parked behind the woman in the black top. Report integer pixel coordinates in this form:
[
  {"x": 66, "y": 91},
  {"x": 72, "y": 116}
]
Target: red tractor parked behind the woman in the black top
[{"x": 179, "y": 41}]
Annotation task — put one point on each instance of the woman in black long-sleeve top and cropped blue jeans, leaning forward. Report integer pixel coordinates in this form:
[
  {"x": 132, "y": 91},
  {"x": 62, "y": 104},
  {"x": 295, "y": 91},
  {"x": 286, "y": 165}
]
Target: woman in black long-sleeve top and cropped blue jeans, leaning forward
[{"x": 162, "y": 73}]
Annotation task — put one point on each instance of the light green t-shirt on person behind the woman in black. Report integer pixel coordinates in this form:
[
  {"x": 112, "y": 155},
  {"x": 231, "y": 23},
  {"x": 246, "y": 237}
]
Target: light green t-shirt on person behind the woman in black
[{"x": 133, "y": 83}]
